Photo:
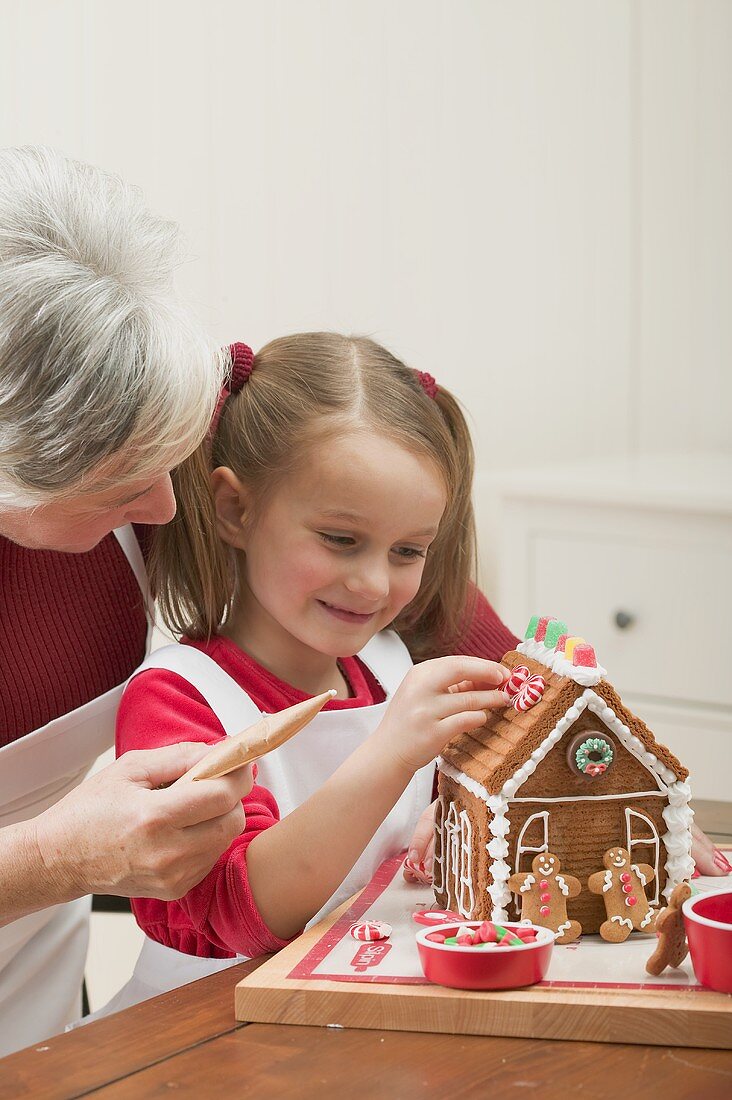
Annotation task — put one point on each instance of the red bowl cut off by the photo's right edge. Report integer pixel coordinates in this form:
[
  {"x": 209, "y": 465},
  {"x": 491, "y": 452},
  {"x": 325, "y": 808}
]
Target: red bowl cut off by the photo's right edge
[{"x": 708, "y": 920}]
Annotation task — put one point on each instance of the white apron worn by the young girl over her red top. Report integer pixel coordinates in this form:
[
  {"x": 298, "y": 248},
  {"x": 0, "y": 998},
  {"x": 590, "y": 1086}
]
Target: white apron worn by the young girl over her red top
[{"x": 292, "y": 773}]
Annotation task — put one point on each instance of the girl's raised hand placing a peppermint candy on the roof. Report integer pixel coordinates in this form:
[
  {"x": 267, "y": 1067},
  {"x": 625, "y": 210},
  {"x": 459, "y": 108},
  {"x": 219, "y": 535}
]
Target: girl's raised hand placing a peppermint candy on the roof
[{"x": 436, "y": 702}]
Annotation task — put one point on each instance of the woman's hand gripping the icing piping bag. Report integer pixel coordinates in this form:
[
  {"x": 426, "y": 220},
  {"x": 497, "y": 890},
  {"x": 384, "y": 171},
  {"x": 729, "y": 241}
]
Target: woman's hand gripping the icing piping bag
[{"x": 121, "y": 833}]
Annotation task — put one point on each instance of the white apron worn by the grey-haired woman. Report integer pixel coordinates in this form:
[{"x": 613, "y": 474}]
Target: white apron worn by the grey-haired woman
[{"x": 42, "y": 955}]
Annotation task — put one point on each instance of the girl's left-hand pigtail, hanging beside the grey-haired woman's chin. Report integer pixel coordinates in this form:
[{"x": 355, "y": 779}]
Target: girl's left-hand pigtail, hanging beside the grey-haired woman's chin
[{"x": 192, "y": 568}]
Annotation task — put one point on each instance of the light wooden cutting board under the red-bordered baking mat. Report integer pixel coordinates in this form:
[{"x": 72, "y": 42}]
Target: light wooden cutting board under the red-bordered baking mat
[{"x": 648, "y": 1017}]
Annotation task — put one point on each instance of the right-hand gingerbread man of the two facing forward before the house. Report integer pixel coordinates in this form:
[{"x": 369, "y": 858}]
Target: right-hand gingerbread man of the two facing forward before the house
[{"x": 622, "y": 887}]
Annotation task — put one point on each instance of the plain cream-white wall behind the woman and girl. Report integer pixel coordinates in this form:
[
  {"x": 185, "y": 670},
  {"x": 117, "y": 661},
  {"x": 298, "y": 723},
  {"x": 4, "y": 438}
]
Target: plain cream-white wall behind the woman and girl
[{"x": 531, "y": 201}]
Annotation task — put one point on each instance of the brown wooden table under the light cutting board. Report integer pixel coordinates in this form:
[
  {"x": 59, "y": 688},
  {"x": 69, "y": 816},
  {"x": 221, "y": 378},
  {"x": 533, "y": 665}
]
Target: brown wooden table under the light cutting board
[{"x": 189, "y": 1044}]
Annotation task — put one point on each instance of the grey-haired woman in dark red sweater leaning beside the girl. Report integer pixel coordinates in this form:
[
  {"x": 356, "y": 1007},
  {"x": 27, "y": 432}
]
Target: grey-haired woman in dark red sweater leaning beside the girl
[{"x": 105, "y": 386}]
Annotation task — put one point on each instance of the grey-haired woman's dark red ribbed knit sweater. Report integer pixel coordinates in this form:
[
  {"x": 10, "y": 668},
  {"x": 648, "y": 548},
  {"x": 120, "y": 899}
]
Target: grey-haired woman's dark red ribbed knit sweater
[{"x": 73, "y": 626}]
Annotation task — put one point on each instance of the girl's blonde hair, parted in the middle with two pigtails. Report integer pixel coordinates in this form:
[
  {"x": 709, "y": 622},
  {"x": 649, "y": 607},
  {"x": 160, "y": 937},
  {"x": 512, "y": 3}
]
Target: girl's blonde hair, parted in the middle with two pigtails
[{"x": 304, "y": 390}]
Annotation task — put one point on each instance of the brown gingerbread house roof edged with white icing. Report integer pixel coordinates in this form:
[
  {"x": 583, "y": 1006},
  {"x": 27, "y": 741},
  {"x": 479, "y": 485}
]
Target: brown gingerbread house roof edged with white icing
[{"x": 494, "y": 754}]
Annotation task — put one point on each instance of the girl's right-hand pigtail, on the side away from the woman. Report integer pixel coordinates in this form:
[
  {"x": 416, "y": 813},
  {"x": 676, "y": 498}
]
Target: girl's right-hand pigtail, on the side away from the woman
[{"x": 434, "y": 623}]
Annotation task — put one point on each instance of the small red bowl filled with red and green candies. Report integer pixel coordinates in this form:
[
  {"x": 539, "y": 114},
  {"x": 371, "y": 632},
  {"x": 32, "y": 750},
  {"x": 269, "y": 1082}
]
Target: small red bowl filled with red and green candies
[{"x": 484, "y": 967}]
